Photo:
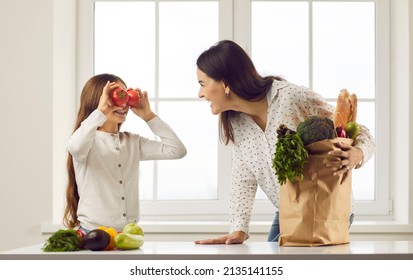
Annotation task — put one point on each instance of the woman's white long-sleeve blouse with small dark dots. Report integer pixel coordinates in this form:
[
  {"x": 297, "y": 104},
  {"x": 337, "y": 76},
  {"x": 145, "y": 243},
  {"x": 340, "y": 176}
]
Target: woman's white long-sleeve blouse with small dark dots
[{"x": 253, "y": 148}]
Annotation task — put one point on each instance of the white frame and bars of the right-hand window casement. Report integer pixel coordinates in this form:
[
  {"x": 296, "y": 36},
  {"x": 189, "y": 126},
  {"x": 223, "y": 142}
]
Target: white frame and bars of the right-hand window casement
[{"x": 382, "y": 205}]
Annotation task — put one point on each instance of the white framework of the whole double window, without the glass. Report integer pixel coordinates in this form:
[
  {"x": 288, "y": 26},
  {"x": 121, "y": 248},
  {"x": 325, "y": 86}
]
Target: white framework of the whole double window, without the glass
[{"x": 236, "y": 16}]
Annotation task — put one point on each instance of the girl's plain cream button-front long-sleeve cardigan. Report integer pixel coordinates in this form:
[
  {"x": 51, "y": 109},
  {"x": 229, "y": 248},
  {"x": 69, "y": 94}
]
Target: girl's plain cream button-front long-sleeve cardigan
[{"x": 107, "y": 169}]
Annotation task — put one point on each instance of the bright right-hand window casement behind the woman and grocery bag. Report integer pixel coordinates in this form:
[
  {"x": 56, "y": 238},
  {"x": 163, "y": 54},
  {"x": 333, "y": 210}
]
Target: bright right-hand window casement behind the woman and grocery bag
[{"x": 330, "y": 45}]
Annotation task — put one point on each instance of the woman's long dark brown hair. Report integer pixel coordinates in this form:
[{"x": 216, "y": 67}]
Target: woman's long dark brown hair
[{"x": 228, "y": 62}]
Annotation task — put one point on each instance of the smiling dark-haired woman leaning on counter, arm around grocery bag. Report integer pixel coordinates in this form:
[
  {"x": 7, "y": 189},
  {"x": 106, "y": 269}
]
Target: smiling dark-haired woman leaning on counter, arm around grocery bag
[{"x": 251, "y": 108}]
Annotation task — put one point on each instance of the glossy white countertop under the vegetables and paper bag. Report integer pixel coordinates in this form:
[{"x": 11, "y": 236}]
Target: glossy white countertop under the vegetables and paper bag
[{"x": 248, "y": 250}]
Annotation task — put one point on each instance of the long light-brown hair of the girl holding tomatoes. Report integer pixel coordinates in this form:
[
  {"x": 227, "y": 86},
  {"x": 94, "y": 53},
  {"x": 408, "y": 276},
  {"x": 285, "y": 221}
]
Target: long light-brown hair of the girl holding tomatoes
[{"x": 89, "y": 101}]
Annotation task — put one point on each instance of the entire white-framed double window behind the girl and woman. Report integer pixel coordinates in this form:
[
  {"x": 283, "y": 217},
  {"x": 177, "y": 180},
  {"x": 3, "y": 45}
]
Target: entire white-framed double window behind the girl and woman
[{"x": 313, "y": 43}]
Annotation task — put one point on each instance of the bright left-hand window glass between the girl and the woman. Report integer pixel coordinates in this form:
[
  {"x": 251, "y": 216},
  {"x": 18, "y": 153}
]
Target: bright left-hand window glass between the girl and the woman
[{"x": 159, "y": 57}]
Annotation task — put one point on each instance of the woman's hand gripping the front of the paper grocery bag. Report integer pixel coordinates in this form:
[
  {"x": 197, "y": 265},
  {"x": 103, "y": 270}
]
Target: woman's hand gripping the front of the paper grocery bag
[{"x": 345, "y": 159}]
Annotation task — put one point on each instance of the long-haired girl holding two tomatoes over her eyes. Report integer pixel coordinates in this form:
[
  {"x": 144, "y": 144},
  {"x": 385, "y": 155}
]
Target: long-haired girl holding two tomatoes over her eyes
[{"x": 103, "y": 163}]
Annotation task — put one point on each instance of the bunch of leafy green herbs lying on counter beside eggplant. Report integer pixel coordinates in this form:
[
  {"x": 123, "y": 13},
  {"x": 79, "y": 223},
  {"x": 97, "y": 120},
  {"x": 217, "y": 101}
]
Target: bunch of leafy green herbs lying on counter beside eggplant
[{"x": 64, "y": 240}]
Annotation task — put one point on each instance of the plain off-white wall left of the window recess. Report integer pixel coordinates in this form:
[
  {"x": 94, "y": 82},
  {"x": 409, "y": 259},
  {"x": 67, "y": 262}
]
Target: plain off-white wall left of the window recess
[{"x": 26, "y": 78}]
